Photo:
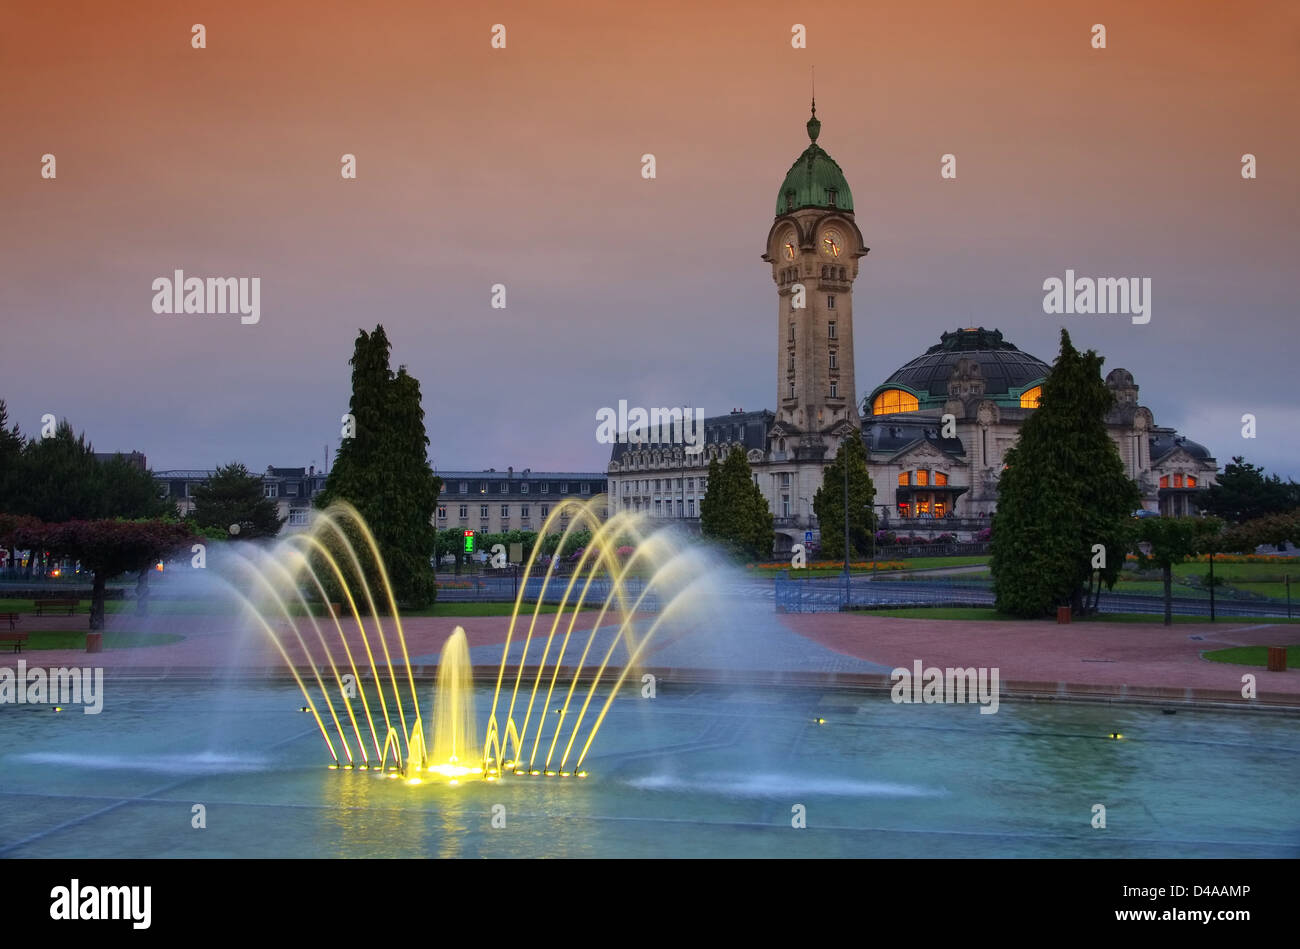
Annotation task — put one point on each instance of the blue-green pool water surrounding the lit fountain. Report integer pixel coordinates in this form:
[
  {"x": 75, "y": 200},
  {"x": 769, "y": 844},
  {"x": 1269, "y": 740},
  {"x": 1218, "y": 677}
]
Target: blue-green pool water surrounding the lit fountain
[{"x": 695, "y": 773}]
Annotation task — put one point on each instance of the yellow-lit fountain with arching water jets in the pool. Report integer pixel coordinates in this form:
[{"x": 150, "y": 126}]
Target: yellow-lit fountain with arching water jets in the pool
[{"x": 361, "y": 700}]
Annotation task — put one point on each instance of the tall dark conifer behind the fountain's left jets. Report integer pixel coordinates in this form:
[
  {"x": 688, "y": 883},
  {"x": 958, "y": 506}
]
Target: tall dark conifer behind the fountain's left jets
[{"x": 384, "y": 470}]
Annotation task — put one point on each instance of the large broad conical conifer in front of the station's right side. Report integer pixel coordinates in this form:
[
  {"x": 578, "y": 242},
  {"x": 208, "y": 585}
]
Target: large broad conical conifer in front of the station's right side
[{"x": 1063, "y": 493}]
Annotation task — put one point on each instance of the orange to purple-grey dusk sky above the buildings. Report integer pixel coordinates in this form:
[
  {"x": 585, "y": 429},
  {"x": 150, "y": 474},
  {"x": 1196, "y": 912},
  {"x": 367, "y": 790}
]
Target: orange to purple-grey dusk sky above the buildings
[{"x": 523, "y": 167}]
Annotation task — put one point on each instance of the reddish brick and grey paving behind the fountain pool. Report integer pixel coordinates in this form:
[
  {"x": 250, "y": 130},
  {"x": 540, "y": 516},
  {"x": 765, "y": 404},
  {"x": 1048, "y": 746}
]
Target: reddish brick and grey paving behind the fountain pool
[{"x": 751, "y": 639}]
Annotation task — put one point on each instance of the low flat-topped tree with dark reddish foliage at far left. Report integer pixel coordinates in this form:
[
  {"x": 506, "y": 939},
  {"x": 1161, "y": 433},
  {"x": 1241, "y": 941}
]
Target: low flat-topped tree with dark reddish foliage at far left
[{"x": 106, "y": 548}]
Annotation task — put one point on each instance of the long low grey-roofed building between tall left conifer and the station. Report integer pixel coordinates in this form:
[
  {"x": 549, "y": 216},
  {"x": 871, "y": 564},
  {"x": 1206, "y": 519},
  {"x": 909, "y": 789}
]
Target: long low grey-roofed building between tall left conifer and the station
[{"x": 492, "y": 501}]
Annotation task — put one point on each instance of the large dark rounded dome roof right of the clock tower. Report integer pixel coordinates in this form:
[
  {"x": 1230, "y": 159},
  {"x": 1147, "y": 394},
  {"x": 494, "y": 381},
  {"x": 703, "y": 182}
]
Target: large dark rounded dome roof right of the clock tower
[{"x": 1003, "y": 367}]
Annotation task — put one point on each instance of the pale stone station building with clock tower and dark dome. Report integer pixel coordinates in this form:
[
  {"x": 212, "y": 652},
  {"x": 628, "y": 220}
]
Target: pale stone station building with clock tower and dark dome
[{"x": 928, "y": 482}]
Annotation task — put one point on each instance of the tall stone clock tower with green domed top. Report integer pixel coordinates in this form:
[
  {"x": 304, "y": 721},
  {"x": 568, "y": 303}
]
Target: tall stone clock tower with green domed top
[{"x": 814, "y": 248}]
